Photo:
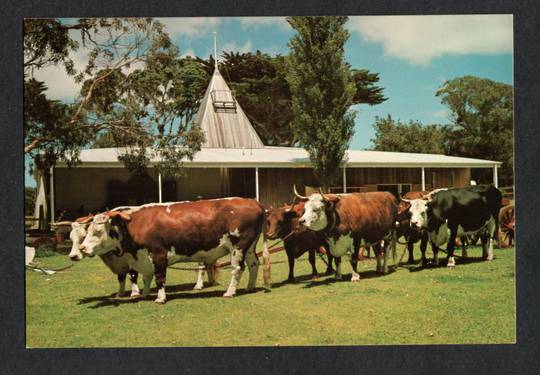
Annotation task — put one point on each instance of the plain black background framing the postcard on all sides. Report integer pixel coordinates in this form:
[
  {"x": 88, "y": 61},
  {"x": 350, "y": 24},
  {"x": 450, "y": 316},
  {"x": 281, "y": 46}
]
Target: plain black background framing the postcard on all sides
[{"x": 521, "y": 358}]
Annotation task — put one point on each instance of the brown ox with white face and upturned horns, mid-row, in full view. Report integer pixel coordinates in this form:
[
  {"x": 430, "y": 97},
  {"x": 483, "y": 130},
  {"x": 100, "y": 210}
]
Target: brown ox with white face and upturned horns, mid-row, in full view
[{"x": 349, "y": 220}]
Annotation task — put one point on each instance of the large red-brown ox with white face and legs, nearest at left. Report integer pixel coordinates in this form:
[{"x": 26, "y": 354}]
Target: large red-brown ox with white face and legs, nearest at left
[{"x": 200, "y": 231}]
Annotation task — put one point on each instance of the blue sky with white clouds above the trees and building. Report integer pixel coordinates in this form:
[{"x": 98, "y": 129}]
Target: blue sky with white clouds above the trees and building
[{"x": 413, "y": 55}]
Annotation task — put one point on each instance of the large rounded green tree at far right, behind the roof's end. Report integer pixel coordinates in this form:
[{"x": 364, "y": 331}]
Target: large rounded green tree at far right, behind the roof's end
[{"x": 482, "y": 122}]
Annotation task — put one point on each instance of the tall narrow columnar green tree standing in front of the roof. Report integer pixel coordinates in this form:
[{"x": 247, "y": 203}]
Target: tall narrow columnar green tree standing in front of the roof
[{"x": 322, "y": 92}]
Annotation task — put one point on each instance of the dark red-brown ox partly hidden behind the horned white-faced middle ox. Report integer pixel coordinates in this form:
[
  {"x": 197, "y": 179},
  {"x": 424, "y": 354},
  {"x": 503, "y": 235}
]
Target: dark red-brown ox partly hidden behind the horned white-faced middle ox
[{"x": 283, "y": 222}]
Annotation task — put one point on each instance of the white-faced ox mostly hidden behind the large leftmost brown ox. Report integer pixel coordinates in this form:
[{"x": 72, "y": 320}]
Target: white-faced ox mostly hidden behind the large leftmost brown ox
[{"x": 122, "y": 264}]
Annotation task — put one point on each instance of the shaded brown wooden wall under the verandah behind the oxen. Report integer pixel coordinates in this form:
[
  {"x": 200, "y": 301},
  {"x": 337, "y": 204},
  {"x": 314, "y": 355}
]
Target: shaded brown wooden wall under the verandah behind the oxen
[{"x": 83, "y": 190}]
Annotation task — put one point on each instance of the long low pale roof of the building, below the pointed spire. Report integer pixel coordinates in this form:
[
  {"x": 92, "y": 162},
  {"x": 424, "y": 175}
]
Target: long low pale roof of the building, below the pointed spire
[{"x": 291, "y": 157}]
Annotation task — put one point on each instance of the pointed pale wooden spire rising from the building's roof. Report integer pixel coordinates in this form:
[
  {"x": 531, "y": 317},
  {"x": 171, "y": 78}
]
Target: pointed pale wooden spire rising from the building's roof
[{"x": 223, "y": 121}]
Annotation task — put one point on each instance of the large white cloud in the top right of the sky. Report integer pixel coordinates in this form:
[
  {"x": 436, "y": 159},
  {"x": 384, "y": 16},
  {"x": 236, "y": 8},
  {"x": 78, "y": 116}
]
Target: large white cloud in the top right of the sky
[{"x": 420, "y": 39}]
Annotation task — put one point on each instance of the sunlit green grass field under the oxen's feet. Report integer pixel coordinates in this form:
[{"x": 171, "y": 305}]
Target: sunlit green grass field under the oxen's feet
[{"x": 473, "y": 303}]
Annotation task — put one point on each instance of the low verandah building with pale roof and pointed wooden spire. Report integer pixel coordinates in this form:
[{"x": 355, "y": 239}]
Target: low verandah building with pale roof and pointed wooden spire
[{"x": 234, "y": 162}]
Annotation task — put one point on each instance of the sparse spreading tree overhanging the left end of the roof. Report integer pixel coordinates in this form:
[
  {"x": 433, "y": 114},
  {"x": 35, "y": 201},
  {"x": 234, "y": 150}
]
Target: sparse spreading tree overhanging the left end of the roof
[{"x": 115, "y": 46}]
